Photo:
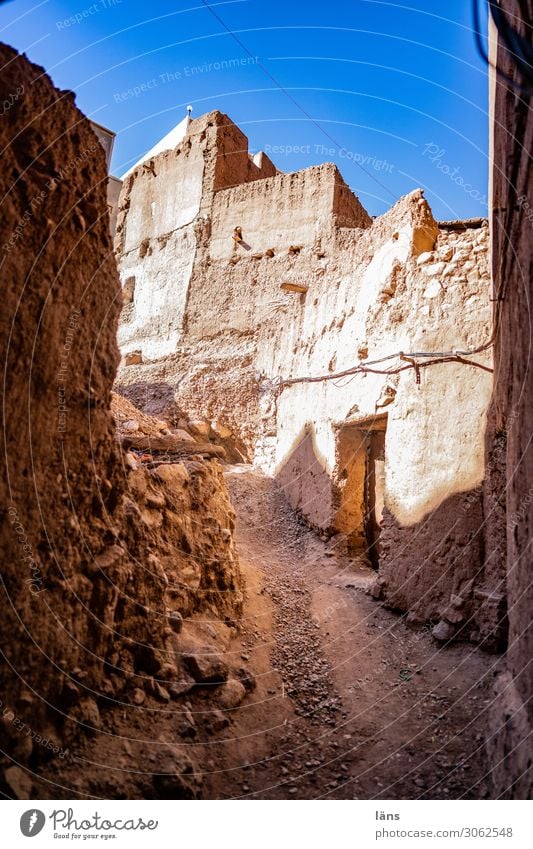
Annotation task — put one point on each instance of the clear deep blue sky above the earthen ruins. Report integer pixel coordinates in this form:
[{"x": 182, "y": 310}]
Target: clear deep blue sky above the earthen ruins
[{"x": 395, "y": 89}]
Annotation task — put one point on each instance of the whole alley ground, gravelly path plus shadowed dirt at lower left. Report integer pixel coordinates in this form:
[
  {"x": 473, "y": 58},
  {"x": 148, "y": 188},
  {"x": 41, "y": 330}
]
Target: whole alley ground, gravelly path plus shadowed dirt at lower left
[{"x": 348, "y": 701}]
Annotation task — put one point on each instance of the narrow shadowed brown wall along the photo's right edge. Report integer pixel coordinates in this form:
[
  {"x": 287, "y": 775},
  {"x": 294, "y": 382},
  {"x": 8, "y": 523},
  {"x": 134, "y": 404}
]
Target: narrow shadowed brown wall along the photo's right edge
[{"x": 508, "y": 492}]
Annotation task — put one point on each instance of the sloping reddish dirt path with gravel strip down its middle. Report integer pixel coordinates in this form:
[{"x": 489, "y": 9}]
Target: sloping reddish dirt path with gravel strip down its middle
[{"x": 350, "y": 702}]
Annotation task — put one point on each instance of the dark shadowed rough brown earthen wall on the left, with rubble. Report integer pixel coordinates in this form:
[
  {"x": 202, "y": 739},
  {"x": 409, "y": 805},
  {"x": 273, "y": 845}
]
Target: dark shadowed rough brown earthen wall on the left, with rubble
[{"x": 98, "y": 557}]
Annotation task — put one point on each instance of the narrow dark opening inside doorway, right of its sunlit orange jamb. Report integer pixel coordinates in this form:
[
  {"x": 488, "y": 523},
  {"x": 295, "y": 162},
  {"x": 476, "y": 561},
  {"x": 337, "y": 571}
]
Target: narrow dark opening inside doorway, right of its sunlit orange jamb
[{"x": 374, "y": 493}]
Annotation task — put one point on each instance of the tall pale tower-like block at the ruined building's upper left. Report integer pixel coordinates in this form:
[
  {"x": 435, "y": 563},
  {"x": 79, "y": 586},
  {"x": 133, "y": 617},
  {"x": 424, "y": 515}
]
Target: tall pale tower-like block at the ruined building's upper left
[{"x": 160, "y": 221}]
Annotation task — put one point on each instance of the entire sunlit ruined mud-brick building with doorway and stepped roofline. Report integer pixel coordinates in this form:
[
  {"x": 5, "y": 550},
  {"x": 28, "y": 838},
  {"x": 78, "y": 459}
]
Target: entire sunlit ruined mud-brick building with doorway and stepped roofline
[{"x": 242, "y": 285}]
